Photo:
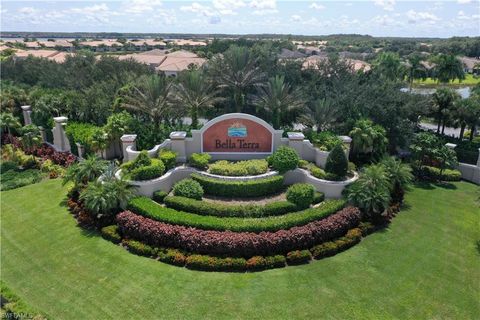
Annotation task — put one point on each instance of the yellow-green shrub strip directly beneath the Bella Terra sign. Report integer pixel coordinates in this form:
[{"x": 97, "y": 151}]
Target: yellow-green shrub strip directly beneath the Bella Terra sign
[{"x": 240, "y": 168}]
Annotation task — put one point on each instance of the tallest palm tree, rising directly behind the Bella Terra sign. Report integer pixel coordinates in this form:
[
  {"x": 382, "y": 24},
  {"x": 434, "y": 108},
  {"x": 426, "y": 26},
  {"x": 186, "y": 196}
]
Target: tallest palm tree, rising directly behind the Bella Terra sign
[{"x": 237, "y": 70}]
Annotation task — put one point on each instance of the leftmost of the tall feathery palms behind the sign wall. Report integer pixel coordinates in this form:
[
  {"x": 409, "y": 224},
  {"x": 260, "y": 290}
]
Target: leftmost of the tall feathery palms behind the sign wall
[{"x": 152, "y": 97}]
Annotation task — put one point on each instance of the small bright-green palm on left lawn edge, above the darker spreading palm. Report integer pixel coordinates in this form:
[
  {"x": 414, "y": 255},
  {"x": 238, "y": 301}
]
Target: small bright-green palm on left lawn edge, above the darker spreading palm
[{"x": 85, "y": 171}]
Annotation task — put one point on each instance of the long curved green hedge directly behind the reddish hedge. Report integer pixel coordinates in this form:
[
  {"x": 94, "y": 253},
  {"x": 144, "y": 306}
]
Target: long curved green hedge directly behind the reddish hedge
[{"x": 150, "y": 209}]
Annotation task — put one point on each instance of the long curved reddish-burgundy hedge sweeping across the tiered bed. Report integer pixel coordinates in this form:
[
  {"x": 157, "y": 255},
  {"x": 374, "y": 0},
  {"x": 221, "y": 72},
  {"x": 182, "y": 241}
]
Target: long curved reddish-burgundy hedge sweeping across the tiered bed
[{"x": 234, "y": 244}]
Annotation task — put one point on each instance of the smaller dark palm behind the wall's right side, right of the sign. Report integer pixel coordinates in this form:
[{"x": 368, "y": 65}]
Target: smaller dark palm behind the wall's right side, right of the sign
[{"x": 321, "y": 113}]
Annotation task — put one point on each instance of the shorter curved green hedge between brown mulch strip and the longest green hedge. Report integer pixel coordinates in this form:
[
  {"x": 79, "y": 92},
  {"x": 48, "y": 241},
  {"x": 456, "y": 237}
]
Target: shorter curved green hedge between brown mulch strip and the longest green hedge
[{"x": 223, "y": 210}]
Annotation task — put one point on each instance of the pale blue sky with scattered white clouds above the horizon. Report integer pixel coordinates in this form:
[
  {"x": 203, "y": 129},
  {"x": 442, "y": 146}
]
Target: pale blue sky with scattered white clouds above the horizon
[{"x": 404, "y": 18}]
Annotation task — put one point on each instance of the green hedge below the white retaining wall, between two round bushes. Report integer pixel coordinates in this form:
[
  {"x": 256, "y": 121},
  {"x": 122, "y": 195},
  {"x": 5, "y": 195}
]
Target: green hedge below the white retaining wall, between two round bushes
[{"x": 251, "y": 188}]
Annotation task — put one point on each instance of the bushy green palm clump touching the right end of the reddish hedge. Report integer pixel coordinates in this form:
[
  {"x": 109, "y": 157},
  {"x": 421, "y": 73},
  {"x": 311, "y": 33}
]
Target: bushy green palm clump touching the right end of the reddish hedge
[{"x": 371, "y": 192}]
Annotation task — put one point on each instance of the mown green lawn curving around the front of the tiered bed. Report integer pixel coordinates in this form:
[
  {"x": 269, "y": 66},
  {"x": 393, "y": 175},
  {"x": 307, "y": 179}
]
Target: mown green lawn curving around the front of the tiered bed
[{"x": 425, "y": 266}]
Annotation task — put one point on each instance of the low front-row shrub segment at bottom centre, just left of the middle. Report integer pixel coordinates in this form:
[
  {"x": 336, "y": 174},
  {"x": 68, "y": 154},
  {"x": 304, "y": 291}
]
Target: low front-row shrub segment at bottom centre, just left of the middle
[{"x": 209, "y": 263}]
